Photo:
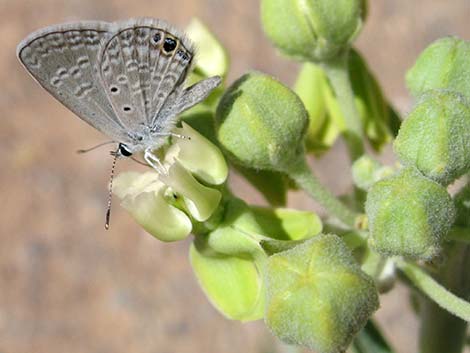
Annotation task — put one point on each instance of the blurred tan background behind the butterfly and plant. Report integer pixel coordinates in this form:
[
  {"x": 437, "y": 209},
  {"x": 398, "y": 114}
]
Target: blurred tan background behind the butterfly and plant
[{"x": 67, "y": 285}]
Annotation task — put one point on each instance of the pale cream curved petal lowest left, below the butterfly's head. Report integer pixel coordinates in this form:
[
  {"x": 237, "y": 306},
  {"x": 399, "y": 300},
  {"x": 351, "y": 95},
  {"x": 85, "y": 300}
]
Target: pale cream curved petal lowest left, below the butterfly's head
[{"x": 143, "y": 195}]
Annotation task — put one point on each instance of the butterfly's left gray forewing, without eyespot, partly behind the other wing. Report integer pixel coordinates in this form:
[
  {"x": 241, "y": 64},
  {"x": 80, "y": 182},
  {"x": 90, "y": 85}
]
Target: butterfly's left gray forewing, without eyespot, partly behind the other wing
[{"x": 62, "y": 58}]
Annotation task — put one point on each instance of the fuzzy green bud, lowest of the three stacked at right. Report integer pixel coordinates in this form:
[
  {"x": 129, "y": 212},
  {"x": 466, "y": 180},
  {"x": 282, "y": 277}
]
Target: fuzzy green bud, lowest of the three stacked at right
[{"x": 409, "y": 215}]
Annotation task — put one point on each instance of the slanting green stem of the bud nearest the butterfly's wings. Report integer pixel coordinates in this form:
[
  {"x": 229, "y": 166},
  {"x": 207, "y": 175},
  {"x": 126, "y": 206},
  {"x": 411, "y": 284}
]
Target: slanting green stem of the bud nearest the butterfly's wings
[{"x": 303, "y": 176}]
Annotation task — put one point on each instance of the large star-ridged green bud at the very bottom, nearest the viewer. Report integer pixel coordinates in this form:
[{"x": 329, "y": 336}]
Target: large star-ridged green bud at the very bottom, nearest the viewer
[{"x": 317, "y": 296}]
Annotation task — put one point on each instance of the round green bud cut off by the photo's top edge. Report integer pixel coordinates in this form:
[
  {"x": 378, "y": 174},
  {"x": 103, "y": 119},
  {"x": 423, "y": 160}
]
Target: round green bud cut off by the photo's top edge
[{"x": 312, "y": 30}]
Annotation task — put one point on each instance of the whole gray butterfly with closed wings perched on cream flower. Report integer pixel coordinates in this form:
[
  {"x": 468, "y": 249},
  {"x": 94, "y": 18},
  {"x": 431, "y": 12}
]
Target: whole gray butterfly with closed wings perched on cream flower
[{"x": 125, "y": 78}]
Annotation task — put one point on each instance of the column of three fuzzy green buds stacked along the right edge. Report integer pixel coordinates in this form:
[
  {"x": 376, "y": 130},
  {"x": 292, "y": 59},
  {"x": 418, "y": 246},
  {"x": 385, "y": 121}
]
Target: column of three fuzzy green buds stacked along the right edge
[{"x": 411, "y": 212}]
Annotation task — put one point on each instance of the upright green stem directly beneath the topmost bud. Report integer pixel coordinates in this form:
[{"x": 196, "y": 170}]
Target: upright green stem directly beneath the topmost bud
[{"x": 337, "y": 71}]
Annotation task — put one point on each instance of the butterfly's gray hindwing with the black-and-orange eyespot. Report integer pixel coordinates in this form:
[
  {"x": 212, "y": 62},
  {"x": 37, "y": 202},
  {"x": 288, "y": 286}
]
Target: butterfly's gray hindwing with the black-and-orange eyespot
[{"x": 143, "y": 66}]
